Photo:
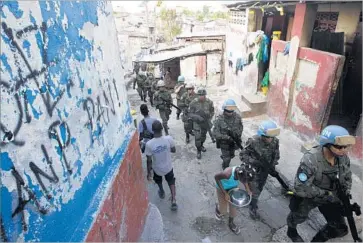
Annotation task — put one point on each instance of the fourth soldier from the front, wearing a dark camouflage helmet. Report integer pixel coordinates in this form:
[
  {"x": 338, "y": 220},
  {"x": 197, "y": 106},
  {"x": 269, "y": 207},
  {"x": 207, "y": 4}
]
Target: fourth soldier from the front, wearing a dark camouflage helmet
[{"x": 201, "y": 110}]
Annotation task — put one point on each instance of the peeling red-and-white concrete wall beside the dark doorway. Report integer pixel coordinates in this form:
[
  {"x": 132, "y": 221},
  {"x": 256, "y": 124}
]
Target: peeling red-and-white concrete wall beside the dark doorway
[{"x": 304, "y": 103}]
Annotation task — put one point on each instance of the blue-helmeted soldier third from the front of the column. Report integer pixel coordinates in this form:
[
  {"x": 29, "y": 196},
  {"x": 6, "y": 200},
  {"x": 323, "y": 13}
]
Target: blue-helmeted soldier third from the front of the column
[{"x": 227, "y": 124}]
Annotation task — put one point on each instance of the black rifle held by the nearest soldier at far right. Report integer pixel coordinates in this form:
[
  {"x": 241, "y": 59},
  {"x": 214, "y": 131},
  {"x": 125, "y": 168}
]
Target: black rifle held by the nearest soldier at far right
[{"x": 348, "y": 210}]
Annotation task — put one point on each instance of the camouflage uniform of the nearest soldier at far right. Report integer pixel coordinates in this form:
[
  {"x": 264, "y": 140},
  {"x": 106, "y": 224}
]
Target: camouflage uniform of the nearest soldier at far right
[{"x": 312, "y": 191}]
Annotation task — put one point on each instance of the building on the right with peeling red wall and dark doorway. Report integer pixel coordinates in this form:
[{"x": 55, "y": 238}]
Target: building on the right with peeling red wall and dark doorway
[{"x": 315, "y": 79}]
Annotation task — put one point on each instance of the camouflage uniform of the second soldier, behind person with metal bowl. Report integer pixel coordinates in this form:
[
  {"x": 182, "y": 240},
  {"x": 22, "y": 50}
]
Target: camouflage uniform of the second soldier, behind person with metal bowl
[{"x": 264, "y": 157}]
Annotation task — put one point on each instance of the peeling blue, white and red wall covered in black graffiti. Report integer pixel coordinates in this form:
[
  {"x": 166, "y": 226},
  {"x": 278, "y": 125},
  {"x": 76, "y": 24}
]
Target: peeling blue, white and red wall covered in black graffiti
[{"x": 67, "y": 140}]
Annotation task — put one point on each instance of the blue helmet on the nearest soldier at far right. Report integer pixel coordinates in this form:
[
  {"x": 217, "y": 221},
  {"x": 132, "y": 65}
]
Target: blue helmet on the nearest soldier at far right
[{"x": 336, "y": 135}]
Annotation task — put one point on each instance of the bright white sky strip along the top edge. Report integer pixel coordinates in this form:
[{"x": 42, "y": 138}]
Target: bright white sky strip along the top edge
[{"x": 133, "y": 6}]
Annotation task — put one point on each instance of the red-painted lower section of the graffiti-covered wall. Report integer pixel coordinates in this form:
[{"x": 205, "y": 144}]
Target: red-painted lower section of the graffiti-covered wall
[{"x": 123, "y": 213}]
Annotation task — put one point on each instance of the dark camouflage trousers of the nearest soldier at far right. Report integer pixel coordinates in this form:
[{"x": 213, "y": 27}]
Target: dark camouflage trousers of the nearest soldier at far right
[{"x": 300, "y": 208}]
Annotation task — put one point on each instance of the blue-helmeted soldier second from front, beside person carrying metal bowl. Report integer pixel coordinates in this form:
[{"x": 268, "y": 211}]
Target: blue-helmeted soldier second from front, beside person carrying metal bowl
[{"x": 262, "y": 152}]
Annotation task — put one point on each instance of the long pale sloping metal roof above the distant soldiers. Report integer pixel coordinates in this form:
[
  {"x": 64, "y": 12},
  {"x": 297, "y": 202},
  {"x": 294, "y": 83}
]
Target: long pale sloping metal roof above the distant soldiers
[{"x": 199, "y": 48}]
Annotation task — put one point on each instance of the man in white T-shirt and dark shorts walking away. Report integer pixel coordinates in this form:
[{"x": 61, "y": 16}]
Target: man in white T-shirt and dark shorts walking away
[{"x": 158, "y": 153}]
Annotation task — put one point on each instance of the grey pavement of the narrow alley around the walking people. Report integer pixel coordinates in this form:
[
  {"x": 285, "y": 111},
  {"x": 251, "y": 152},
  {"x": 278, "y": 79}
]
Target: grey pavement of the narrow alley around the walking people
[{"x": 196, "y": 195}]
